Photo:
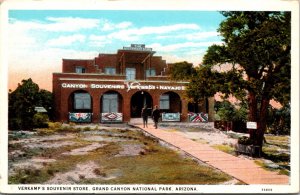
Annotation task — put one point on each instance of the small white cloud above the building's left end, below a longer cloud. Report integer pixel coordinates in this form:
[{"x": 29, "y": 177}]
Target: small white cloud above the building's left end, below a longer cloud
[{"x": 66, "y": 40}]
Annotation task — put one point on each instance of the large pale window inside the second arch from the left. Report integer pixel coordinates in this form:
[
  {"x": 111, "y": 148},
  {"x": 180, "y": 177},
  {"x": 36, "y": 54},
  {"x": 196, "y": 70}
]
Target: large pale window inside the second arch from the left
[{"x": 109, "y": 103}]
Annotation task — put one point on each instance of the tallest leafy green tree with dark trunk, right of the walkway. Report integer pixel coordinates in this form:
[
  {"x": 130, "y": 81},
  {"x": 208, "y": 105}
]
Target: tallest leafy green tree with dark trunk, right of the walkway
[{"x": 259, "y": 43}]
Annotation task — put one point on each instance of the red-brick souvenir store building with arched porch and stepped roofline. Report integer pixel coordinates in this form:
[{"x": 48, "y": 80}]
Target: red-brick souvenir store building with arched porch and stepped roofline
[{"x": 115, "y": 88}]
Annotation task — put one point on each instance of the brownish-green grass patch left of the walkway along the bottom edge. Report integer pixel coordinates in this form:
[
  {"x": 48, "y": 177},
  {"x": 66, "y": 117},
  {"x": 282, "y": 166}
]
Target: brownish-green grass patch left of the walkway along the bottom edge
[{"x": 162, "y": 167}]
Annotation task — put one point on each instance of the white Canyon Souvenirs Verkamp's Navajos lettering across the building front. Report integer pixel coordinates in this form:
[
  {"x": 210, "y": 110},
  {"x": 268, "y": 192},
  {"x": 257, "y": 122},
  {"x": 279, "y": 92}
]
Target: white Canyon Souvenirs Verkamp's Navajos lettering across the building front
[{"x": 127, "y": 85}]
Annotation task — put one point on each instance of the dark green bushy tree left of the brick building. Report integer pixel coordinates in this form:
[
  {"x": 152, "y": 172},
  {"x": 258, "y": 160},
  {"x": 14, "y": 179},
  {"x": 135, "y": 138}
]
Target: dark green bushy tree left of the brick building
[{"x": 22, "y": 103}]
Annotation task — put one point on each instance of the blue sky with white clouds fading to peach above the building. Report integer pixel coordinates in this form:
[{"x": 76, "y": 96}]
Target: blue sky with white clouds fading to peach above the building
[{"x": 40, "y": 39}]
